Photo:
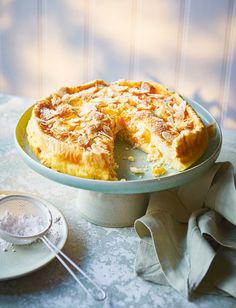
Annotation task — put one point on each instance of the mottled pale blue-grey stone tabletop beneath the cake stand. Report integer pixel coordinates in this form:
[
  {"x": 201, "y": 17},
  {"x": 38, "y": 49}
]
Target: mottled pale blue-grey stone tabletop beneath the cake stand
[{"x": 107, "y": 255}]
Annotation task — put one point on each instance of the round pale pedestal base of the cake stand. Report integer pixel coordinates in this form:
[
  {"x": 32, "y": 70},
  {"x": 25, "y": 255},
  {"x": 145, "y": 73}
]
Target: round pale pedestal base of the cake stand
[{"x": 111, "y": 210}]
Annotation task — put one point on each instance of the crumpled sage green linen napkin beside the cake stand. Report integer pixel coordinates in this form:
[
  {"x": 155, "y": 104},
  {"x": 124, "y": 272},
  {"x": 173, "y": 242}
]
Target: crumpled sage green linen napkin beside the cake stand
[{"x": 188, "y": 235}]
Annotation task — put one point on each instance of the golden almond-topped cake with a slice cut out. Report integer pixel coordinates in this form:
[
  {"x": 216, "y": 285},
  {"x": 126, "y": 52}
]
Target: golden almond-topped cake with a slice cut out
[{"x": 73, "y": 130}]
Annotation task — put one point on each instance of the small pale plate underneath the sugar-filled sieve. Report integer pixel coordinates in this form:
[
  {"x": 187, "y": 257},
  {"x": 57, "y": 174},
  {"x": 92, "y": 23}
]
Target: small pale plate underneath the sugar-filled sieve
[{"x": 22, "y": 260}]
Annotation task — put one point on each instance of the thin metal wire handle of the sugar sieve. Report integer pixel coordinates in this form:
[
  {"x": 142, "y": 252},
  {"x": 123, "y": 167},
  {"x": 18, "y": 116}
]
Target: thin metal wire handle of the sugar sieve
[{"x": 97, "y": 292}]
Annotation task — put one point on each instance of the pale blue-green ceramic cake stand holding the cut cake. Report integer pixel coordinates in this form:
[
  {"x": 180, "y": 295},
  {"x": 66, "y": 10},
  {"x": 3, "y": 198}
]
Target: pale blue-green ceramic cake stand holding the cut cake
[{"x": 119, "y": 203}]
